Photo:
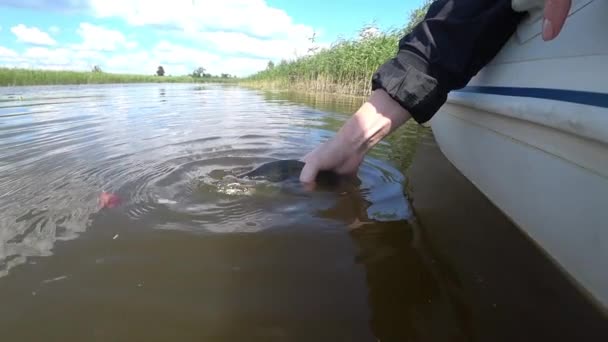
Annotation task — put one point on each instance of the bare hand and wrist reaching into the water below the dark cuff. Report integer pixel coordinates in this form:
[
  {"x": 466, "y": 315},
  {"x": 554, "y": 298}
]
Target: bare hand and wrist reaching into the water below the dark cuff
[{"x": 343, "y": 154}]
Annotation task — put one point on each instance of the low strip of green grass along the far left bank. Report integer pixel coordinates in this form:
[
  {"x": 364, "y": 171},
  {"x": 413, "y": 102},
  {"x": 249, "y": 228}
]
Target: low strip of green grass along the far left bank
[{"x": 22, "y": 77}]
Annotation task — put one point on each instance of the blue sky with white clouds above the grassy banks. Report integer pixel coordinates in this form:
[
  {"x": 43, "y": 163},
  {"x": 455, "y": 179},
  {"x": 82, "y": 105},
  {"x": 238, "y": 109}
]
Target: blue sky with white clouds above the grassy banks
[{"x": 237, "y": 37}]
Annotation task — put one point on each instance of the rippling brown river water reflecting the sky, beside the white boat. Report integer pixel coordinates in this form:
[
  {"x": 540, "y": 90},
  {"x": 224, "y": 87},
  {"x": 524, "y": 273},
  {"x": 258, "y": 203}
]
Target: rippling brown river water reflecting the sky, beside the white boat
[{"x": 195, "y": 253}]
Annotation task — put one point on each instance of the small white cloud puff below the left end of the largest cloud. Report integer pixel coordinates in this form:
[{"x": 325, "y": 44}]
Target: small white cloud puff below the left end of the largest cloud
[{"x": 98, "y": 38}]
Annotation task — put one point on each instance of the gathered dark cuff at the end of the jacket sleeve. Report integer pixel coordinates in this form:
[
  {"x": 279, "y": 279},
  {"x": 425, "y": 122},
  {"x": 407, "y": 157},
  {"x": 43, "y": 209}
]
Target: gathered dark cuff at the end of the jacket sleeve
[{"x": 406, "y": 80}]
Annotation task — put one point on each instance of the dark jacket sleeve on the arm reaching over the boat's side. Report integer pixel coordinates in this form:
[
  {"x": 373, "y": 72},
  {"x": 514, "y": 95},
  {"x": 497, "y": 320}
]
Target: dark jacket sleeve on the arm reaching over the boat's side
[{"x": 454, "y": 41}]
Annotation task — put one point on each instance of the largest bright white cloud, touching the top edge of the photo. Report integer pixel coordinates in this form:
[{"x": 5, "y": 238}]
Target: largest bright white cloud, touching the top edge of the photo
[{"x": 238, "y": 27}]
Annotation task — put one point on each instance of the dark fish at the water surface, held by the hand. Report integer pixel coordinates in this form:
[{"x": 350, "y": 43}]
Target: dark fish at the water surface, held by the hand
[{"x": 286, "y": 170}]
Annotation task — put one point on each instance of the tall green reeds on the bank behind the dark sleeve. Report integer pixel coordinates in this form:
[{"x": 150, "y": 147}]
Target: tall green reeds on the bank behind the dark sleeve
[{"x": 345, "y": 68}]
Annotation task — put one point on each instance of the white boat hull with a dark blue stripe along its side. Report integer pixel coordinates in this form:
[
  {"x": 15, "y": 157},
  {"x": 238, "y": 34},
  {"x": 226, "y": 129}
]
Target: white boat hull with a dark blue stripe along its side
[{"x": 530, "y": 131}]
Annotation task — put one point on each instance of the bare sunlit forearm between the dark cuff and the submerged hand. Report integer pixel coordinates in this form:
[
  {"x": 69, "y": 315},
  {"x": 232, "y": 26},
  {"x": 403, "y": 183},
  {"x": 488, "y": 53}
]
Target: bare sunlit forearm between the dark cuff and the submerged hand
[{"x": 379, "y": 116}]
